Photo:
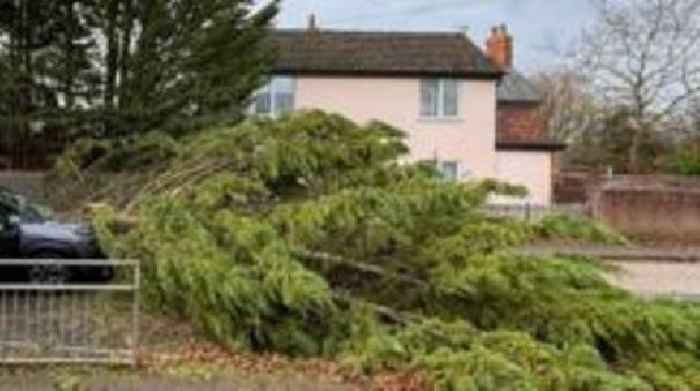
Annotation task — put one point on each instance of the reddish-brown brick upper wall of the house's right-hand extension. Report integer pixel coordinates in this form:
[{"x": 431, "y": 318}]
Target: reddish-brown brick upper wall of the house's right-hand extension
[{"x": 519, "y": 122}]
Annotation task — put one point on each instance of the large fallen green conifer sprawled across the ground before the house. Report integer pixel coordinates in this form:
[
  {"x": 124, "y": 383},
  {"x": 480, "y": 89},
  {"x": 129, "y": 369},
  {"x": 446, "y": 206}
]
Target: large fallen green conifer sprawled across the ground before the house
[{"x": 304, "y": 236}]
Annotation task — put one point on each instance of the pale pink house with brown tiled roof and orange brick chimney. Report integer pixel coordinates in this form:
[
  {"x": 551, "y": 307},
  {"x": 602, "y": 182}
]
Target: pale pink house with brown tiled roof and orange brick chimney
[{"x": 463, "y": 107}]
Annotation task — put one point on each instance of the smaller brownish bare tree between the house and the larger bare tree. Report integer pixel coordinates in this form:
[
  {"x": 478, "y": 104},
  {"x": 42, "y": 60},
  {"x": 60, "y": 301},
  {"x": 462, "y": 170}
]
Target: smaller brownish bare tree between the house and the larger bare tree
[{"x": 567, "y": 107}]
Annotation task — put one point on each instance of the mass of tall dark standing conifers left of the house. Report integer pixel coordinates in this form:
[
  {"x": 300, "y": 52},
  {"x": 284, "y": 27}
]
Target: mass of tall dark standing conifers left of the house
[{"x": 121, "y": 67}]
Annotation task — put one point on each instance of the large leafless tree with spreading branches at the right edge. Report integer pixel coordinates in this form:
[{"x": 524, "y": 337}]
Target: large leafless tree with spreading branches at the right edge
[{"x": 644, "y": 55}]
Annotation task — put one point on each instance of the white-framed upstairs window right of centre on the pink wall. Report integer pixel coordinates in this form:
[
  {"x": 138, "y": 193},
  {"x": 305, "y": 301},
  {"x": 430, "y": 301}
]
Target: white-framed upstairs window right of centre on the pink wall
[{"x": 439, "y": 98}]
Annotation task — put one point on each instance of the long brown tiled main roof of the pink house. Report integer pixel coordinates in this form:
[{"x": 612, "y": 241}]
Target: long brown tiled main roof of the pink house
[{"x": 385, "y": 53}]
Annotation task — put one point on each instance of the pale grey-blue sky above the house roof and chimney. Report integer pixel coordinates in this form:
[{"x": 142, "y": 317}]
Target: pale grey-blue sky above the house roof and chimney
[{"x": 536, "y": 24}]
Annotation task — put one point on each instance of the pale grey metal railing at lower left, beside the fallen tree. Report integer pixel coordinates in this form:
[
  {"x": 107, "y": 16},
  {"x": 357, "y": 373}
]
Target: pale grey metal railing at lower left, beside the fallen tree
[{"x": 75, "y": 322}]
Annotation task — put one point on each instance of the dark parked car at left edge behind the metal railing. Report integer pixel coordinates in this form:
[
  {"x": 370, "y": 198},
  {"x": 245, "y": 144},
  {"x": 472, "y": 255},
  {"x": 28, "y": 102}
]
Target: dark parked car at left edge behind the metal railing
[{"x": 29, "y": 230}]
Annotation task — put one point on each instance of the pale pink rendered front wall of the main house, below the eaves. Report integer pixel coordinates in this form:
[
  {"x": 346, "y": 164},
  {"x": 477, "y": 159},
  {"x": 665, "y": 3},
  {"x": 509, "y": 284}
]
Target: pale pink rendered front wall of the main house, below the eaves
[{"x": 469, "y": 139}]
